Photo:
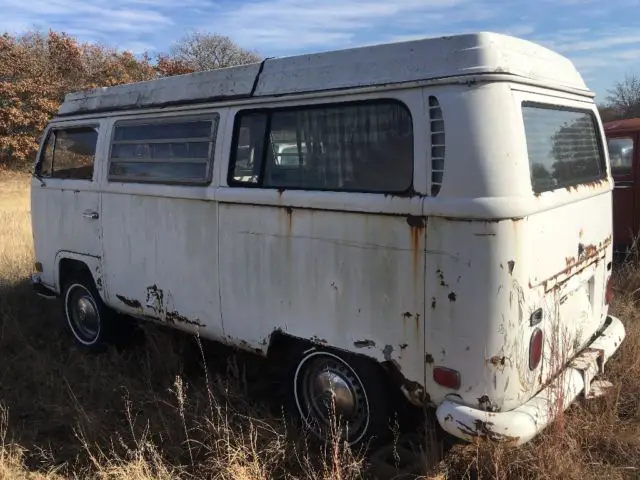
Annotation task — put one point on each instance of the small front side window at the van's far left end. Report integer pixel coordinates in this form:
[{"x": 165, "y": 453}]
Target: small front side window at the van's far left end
[{"x": 69, "y": 153}]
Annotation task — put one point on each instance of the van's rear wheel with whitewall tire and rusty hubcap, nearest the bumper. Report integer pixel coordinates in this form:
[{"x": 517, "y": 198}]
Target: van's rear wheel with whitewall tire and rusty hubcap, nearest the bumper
[{"x": 342, "y": 395}]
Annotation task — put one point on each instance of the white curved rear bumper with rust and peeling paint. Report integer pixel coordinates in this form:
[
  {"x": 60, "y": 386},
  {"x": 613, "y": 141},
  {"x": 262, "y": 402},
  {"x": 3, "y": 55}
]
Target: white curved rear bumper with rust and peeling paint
[{"x": 520, "y": 425}]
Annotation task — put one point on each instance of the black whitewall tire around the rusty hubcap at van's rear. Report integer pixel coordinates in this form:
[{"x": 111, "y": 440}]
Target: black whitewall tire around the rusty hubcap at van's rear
[{"x": 369, "y": 422}]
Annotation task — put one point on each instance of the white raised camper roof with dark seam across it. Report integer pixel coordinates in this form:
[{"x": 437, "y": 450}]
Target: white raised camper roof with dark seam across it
[{"x": 392, "y": 63}]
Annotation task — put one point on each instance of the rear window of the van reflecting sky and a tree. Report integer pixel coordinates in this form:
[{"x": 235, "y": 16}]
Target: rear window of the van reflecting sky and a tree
[{"x": 563, "y": 145}]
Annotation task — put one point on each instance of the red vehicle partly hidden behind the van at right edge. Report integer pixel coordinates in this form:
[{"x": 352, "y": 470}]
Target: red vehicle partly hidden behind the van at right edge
[{"x": 622, "y": 142}]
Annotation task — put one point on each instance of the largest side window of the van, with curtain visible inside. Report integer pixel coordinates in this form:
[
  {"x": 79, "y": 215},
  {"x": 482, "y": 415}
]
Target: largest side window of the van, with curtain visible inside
[{"x": 365, "y": 146}]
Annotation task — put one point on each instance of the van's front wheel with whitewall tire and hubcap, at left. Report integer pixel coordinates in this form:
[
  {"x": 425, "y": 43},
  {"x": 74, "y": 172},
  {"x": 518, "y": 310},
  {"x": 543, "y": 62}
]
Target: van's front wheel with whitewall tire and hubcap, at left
[{"x": 80, "y": 300}]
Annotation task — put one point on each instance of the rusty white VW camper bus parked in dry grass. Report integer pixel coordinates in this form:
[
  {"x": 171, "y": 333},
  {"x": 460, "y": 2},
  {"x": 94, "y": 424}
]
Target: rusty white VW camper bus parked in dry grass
[{"x": 431, "y": 216}]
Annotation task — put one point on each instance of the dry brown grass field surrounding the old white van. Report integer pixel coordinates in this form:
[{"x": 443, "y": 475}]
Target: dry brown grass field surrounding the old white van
[{"x": 153, "y": 411}]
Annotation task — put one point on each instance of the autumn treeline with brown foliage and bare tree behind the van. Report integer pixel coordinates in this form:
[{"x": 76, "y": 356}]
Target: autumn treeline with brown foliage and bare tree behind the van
[{"x": 38, "y": 69}]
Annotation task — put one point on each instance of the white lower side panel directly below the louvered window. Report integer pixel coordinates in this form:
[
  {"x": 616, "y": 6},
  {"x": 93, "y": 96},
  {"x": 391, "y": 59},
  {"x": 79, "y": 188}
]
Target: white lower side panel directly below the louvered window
[{"x": 161, "y": 259}]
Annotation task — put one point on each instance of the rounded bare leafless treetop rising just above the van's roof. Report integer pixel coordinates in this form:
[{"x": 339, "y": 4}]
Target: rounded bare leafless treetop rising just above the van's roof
[{"x": 205, "y": 51}]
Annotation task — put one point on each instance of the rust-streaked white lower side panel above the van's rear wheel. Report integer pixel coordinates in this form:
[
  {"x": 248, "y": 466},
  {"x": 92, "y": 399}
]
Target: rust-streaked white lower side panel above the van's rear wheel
[{"x": 349, "y": 279}]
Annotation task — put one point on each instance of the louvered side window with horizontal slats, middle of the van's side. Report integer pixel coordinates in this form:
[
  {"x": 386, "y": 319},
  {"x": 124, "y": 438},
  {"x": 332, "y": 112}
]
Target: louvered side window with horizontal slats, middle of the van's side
[{"x": 163, "y": 151}]
